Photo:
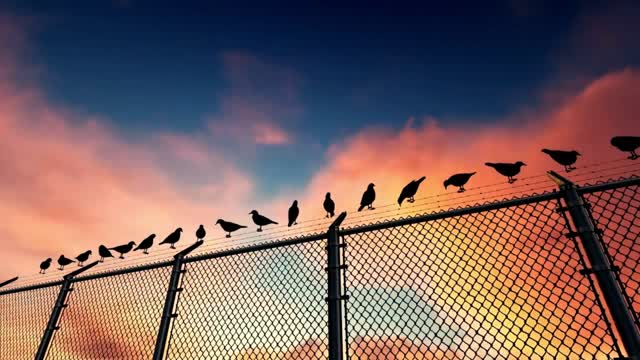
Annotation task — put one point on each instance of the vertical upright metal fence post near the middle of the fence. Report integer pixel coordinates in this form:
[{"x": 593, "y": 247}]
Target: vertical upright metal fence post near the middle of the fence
[{"x": 334, "y": 290}]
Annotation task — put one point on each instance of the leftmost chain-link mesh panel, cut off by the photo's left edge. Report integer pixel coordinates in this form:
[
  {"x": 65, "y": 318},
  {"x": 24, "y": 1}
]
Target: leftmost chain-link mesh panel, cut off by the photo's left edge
[{"x": 23, "y": 319}]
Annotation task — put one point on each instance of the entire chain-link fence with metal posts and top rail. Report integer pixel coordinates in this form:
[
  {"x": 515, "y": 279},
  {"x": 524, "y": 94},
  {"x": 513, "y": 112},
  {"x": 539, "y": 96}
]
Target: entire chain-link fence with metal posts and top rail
[{"x": 552, "y": 275}]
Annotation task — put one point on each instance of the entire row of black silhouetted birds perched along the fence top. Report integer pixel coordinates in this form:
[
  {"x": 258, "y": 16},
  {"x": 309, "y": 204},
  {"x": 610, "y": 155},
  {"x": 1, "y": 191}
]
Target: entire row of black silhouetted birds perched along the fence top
[{"x": 565, "y": 158}]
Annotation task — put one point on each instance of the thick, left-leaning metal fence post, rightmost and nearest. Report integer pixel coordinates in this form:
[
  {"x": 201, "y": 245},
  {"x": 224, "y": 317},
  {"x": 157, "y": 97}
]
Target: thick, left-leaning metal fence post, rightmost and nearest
[{"x": 613, "y": 294}]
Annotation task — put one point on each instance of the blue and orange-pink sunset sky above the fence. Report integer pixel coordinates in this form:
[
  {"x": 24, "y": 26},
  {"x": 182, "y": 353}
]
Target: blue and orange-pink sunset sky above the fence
[{"x": 122, "y": 118}]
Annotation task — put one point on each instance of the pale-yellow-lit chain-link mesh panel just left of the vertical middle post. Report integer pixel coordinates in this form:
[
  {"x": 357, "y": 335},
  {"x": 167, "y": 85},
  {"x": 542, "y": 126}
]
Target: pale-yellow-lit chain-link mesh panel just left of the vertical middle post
[{"x": 267, "y": 304}]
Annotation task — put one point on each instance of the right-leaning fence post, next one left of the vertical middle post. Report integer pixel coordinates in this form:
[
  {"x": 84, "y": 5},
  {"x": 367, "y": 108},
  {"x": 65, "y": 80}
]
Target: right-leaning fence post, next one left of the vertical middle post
[{"x": 170, "y": 301}]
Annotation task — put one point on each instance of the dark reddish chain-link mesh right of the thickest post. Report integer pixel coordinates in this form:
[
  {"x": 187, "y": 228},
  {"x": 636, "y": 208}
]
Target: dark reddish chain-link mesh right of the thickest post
[{"x": 616, "y": 213}]
